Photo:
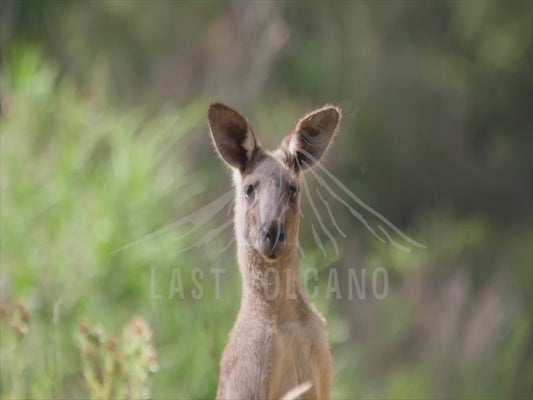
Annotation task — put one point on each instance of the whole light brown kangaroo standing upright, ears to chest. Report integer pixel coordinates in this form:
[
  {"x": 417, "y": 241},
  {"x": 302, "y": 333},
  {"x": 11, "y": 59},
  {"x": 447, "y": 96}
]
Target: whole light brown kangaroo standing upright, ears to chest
[{"x": 279, "y": 344}]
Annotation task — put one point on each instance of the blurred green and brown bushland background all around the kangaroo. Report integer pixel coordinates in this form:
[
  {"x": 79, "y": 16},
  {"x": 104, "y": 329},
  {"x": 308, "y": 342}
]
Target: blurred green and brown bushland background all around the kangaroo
[{"x": 104, "y": 141}]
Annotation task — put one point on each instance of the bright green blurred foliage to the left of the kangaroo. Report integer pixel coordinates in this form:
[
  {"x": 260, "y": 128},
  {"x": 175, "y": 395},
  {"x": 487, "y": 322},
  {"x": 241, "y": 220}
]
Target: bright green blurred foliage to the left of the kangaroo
[{"x": 80, "y": 180}]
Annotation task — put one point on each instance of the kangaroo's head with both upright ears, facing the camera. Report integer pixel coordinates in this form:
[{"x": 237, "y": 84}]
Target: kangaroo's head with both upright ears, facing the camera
[{"x": 267, "y": 183}]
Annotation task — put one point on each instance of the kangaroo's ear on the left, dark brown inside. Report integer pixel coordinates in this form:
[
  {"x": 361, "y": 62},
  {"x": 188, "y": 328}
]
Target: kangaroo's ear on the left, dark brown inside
[{"x": 232, "y": 135}]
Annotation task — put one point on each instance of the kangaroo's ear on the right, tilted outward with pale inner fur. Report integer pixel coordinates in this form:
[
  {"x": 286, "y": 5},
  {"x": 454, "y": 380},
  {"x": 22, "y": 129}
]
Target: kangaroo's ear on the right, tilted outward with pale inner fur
[{"x": 311, "y": 137}]
